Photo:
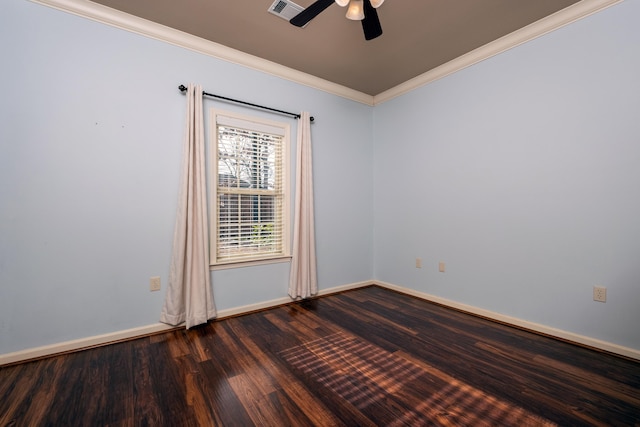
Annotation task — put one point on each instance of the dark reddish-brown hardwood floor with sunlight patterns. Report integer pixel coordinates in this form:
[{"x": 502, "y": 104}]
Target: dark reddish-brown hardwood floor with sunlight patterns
[{"x": 360, "y": 358}]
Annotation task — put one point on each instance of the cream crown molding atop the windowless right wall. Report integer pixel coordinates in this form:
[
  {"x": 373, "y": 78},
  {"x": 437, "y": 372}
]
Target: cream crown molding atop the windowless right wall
[{"x": 539, "y": 28}]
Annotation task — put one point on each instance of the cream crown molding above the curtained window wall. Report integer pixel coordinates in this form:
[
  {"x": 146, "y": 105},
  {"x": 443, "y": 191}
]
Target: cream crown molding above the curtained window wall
[{"x": 134, "y": 24}]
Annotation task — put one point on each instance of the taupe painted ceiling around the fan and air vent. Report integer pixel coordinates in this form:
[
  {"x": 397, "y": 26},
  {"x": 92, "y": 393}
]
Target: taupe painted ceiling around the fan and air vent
[{"x": 419, "y": 35}]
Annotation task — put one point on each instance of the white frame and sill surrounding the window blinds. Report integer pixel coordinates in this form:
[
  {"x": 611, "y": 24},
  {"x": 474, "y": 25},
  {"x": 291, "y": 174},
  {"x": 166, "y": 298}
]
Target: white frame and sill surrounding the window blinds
[{"x": 257, "y": 124}]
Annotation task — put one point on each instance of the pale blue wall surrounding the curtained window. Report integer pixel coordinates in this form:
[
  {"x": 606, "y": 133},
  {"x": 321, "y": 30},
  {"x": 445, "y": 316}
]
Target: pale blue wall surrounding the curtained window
[{"x": 91, "y": 125}]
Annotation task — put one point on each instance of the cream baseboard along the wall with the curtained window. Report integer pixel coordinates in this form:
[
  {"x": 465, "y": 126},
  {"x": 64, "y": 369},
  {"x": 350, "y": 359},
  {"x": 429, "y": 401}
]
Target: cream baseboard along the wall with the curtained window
[{"x": 99, "y": 340}]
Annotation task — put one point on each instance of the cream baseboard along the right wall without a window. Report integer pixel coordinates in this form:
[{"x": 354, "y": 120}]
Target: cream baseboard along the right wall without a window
[{"x": 514, "y": 321}]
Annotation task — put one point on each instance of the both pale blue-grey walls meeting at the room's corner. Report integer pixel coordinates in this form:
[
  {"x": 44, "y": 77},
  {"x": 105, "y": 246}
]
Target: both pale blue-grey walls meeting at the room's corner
[{"x": 521, "y": 173}]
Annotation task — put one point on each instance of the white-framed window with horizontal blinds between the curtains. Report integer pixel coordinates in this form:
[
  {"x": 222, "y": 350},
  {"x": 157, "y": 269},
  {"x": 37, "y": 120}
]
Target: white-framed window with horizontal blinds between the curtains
[{"x": 250, "y": 189}]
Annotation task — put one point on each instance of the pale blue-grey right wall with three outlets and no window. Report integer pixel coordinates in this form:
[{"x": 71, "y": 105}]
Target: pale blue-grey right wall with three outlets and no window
[{"x": 521, "y": 173}]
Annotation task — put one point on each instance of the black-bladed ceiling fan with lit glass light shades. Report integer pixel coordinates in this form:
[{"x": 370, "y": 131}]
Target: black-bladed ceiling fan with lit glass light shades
[{"x": 359, "y": 10}]
